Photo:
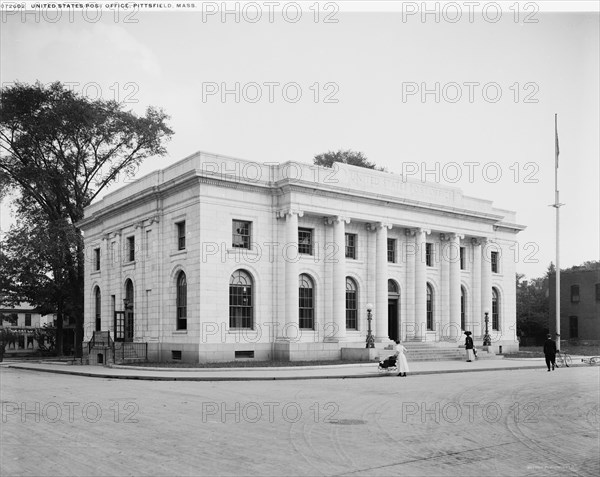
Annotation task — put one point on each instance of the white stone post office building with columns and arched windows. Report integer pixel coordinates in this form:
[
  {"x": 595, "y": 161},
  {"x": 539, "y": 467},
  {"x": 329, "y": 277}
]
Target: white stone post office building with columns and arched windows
[{"x": 215, "y": 258}]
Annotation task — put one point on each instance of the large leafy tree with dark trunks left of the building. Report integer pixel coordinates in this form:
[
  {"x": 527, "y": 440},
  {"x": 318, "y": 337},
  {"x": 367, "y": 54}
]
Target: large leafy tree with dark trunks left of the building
[{"x": 58, "y": 151}]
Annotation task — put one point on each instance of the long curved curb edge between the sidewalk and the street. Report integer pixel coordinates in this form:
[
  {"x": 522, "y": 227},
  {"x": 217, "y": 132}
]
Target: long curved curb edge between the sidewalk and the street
[{"x": 262, "y": 378}]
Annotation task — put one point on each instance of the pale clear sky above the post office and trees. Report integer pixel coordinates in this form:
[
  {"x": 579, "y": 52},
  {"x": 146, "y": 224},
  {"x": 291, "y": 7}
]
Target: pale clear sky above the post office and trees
[{"x": 463, "y": 96}]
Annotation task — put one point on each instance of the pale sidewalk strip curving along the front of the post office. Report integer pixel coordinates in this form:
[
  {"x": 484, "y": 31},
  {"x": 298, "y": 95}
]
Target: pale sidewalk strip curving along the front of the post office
[{"x": 345, "y": 371}]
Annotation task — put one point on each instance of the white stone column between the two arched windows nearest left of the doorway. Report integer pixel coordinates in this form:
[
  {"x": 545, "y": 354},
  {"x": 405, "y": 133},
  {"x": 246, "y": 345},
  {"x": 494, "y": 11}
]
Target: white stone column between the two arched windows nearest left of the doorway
[{"x": 339, "y": 276}]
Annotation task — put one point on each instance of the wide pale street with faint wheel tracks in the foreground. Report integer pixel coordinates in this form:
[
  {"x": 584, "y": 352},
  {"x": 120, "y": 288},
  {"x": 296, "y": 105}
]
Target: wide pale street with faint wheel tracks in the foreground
[{"x": 518, "y": 422}]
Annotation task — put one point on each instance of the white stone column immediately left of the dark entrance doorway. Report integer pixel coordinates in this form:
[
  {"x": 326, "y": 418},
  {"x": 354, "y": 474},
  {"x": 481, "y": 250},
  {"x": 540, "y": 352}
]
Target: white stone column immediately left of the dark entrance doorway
[{"x": 381, "y": 302}]
